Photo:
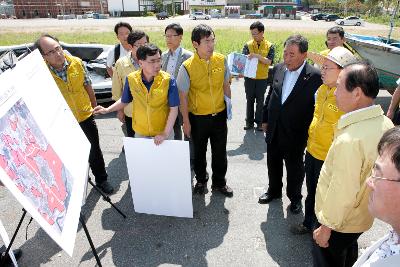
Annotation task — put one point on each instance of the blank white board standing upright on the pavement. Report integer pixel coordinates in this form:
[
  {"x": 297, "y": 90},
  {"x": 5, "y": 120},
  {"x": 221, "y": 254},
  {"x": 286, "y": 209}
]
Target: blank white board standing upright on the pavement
[{"x": 159, "y": 176}]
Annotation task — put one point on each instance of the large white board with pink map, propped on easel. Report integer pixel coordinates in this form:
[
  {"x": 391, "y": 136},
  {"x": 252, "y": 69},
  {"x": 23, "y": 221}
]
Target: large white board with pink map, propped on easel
[{"x": 43, "y": 151}]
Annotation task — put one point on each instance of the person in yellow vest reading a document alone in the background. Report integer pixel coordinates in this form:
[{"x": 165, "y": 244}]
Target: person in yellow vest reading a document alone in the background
[{"x": 255, "y": 88}]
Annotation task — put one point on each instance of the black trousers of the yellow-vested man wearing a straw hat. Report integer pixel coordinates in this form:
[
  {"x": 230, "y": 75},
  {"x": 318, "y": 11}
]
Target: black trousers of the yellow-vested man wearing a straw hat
[{"x": 312, "y": 168}]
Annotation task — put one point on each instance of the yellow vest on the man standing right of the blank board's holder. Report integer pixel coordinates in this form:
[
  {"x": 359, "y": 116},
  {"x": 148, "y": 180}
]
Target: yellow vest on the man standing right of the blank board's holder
[{"x": 206, "y": 93}]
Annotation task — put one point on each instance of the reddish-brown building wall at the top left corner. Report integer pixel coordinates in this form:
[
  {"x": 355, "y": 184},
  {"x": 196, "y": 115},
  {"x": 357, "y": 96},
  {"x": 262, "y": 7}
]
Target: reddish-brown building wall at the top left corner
[{"x": 52, "y": 8}]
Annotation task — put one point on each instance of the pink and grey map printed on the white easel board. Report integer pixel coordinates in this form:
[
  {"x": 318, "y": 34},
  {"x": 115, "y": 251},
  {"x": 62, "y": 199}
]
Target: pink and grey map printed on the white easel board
[{"x": 35, "y": 168}]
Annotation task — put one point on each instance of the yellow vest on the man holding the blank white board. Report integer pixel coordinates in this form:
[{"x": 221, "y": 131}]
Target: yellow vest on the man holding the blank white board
[{"x": 150, "y": 109}]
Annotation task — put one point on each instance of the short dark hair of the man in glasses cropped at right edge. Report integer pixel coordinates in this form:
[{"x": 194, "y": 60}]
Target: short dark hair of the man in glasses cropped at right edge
[{"x": 390, "y": 142}]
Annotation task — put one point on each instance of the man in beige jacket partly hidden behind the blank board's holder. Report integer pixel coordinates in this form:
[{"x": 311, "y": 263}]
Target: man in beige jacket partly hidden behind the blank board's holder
[{"x": 123, "y": 67}]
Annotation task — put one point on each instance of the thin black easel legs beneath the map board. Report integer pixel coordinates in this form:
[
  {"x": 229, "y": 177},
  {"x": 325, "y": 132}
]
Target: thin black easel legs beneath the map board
[{"x": 81, "y": 219}]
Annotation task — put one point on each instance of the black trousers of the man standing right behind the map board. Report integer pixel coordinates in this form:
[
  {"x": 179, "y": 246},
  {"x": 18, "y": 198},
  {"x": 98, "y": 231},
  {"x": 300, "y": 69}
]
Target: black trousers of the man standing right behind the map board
[{"x": 96, "y": 160}]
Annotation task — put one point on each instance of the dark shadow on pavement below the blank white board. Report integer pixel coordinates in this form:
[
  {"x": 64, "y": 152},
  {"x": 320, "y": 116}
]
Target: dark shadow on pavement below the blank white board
[{"x": 151, "y": 240}]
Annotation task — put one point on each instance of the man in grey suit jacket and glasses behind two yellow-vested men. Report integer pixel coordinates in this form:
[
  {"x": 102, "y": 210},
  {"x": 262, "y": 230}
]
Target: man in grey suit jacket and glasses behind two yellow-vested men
[{"x": 172, "y": 60}]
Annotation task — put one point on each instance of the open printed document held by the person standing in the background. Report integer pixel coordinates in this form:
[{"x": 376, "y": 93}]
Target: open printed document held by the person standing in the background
[{"x": 241, "y": 64}]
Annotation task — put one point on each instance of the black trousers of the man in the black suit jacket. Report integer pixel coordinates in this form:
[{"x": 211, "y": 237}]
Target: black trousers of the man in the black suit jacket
[{"x": 277, "y": 152}]
